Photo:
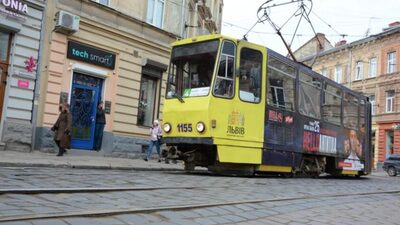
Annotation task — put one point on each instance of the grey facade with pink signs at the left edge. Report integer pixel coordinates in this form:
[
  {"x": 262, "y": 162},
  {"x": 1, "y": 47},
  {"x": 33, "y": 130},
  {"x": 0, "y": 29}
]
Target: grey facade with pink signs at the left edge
[{"x": 21, "y": 33}]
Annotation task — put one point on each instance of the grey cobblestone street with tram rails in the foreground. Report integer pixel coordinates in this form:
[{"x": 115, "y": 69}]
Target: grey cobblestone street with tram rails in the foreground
[{"x": 63, "y": 196}]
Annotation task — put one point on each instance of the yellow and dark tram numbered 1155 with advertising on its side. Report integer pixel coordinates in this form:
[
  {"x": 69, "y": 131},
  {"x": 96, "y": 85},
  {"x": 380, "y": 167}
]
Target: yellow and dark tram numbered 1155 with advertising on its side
[{"x": 237, "y": 107}]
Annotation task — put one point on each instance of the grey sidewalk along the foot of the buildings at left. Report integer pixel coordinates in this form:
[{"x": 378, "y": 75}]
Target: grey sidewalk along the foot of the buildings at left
[{"x": 82, "y": 160}]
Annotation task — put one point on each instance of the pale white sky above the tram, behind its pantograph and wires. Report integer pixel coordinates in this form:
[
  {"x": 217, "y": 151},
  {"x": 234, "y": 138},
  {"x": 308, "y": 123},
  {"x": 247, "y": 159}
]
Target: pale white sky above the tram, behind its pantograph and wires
[{"x": 334, "y": 18}]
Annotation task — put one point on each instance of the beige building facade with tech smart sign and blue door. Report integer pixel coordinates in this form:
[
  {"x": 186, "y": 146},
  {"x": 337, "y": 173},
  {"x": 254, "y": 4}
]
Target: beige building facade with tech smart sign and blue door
[{"x": 117, "y": 52}]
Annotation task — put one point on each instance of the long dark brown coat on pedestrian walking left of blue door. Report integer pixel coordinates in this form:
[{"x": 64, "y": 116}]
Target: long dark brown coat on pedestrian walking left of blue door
[{"x": 62, "y": 129}]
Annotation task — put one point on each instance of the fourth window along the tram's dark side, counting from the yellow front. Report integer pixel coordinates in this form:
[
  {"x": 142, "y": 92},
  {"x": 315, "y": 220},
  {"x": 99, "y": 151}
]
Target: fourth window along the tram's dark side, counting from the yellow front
[{"x": 350, "y": 111}]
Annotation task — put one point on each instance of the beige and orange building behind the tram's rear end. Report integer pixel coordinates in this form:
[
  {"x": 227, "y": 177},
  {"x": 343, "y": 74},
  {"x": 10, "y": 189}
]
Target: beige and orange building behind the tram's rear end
[{"x": 369, "y": 66}]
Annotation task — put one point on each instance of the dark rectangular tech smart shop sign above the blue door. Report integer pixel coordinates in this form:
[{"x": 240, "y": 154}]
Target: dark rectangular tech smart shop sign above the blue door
[{"x": 91, "y": 55}]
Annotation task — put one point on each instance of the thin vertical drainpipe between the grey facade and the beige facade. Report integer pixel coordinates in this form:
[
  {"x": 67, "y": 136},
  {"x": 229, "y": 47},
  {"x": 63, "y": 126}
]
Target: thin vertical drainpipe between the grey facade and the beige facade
[{"x": 36, "y": 94}]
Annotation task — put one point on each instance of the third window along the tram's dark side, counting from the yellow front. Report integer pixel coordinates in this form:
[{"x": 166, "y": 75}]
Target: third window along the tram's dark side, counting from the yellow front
[{"x": 331, "y": 109}]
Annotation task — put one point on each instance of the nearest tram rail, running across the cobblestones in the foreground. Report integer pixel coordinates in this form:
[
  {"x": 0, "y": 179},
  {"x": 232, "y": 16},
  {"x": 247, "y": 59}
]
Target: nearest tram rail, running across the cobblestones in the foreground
[{"x": 113, "y": 212}]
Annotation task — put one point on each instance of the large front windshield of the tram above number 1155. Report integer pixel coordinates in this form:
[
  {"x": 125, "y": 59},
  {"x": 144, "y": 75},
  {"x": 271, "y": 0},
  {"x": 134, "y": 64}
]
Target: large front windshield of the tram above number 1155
[{"x": 191, "y": 69}]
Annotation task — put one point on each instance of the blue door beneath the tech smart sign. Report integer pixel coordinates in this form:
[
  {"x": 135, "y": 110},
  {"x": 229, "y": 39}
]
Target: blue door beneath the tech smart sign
[{"x": 84, "y": 99}]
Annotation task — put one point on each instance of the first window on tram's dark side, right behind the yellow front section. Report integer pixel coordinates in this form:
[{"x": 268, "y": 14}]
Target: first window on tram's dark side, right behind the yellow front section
[{"x": 281, "y": 79}]
